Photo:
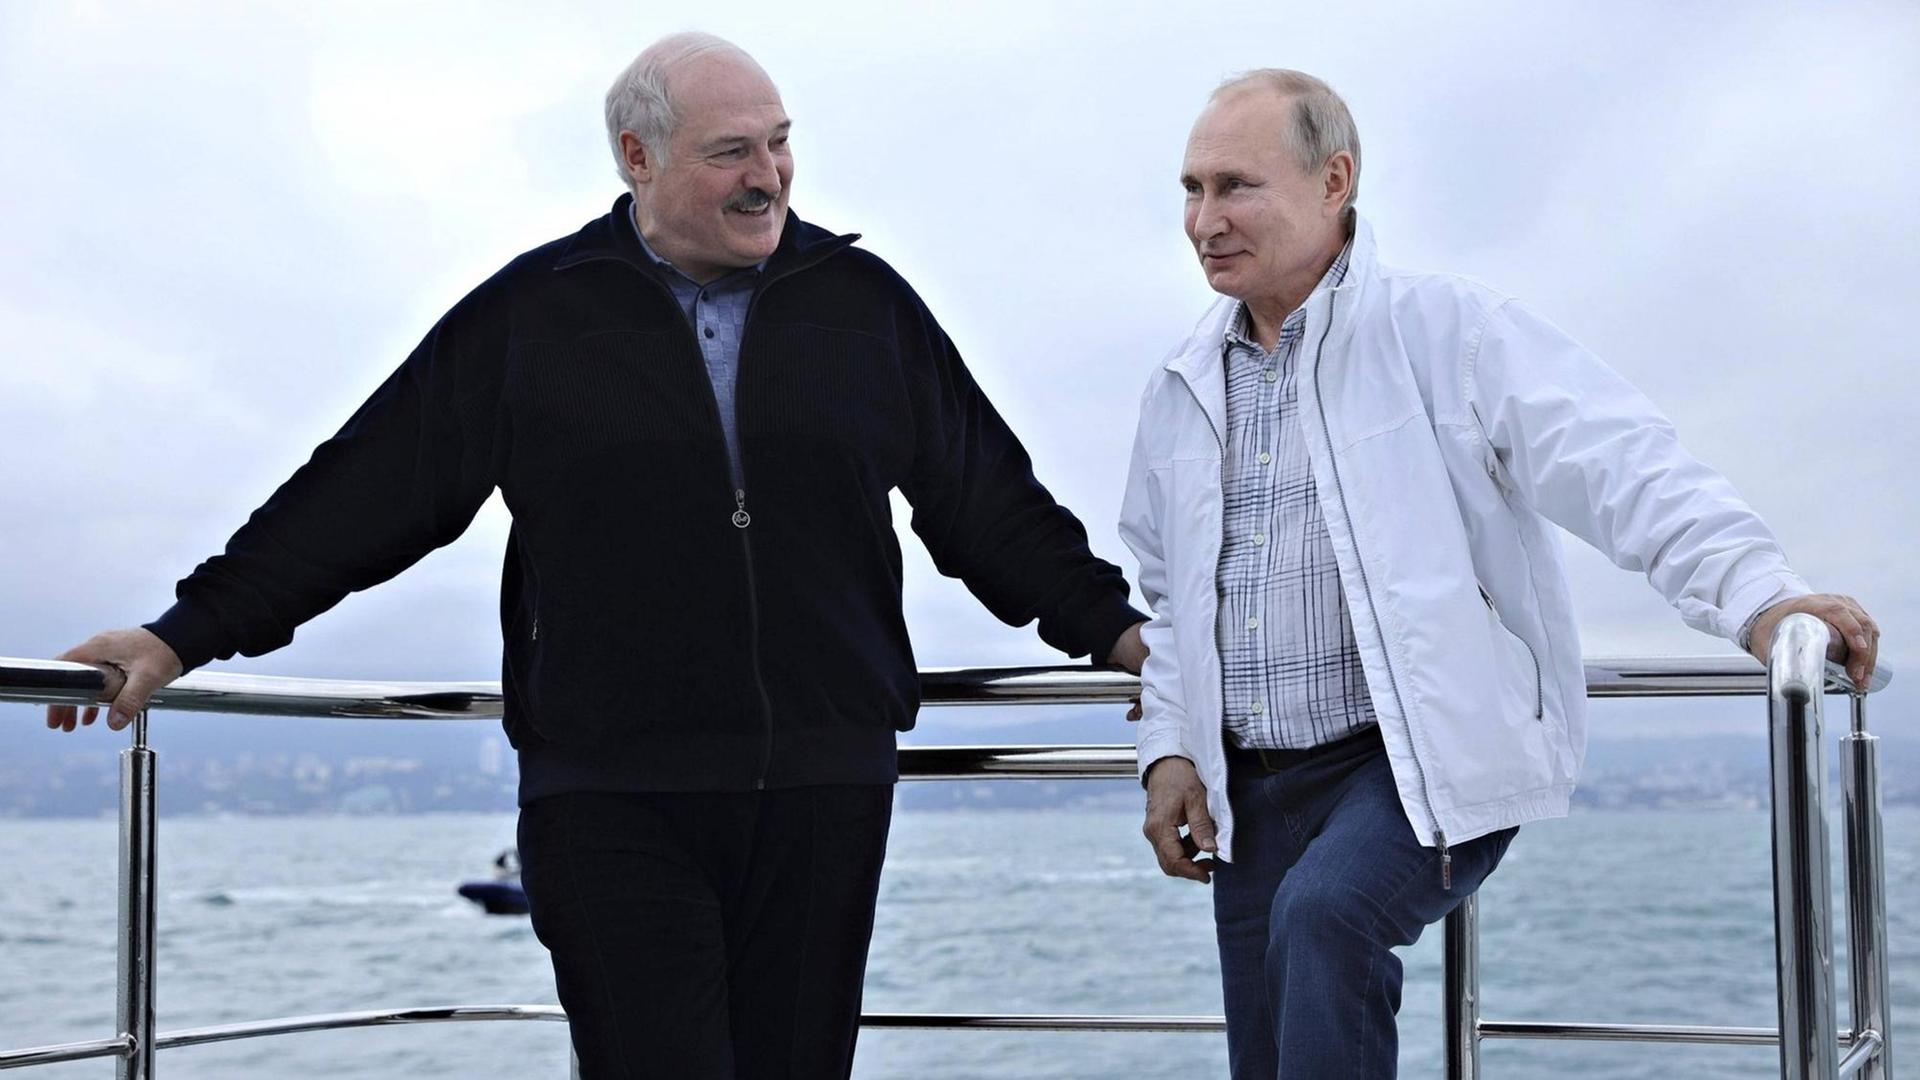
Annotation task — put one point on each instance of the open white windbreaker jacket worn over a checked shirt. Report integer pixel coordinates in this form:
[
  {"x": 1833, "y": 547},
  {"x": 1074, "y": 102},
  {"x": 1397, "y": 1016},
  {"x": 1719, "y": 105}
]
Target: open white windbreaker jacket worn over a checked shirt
[{"x": 1447, "y": 428}]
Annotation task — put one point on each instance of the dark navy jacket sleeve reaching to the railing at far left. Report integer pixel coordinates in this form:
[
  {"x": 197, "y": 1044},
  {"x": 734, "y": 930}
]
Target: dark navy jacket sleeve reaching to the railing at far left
[{"x": 406, "y": 476}]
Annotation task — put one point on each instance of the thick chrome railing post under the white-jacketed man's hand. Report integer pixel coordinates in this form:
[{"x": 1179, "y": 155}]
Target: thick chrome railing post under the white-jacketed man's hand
[{"x": 1804, "y": 920}]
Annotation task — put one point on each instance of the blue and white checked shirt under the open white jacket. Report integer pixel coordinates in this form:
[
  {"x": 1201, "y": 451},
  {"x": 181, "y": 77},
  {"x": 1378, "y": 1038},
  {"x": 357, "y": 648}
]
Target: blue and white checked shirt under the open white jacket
[{"x": 1289, "y": 664}]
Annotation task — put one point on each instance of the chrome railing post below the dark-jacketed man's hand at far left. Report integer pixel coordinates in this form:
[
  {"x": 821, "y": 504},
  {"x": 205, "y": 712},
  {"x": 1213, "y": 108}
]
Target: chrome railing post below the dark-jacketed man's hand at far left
[{"x": 137, "y": 889}]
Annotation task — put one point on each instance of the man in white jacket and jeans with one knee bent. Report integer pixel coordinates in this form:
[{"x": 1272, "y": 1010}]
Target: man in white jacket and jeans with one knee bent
[{"x": 1364, "y": 668}]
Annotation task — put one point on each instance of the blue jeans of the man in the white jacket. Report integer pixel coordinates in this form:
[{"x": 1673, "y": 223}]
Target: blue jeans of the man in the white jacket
[{"x": 1328, "y": 879}]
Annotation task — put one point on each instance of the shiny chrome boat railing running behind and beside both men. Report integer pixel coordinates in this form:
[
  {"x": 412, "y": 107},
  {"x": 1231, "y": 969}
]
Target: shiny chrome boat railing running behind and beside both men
[{"x": 1808, "y": 1000}]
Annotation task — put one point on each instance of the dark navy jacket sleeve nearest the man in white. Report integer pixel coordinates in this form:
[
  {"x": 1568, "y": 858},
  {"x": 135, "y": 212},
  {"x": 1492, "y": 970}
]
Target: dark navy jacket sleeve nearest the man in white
[{"x": 988, "y": 522}]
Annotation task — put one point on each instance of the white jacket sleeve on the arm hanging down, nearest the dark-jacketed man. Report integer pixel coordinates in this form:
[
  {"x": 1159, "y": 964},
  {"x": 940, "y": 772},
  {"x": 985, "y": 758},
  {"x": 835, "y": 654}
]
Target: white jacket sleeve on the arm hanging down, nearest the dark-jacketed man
[{"x": 1163, "y": 704}]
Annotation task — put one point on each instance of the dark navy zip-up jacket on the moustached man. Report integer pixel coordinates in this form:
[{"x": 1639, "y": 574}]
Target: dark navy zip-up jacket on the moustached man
[{"x": 667, "y": 629}]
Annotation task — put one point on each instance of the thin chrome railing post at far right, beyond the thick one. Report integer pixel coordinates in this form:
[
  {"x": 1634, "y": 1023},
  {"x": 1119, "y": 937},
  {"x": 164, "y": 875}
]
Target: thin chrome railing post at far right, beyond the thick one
[{"x": 1867, "y": 891}]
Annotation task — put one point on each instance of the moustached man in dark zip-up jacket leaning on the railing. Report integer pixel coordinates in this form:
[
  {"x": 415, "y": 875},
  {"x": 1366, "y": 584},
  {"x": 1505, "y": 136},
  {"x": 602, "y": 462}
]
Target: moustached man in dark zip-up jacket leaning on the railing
[{"x": 696, "y": 410}]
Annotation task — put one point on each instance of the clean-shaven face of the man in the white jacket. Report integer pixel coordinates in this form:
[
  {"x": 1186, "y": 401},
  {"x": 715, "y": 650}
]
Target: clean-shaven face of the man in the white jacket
[{"x": 1264, "y": 228}]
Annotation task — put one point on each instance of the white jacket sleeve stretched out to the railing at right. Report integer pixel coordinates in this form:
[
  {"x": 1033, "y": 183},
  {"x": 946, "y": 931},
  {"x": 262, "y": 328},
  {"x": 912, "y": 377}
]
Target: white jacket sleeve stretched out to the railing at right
[{"x": 1598, "y": 458}]
